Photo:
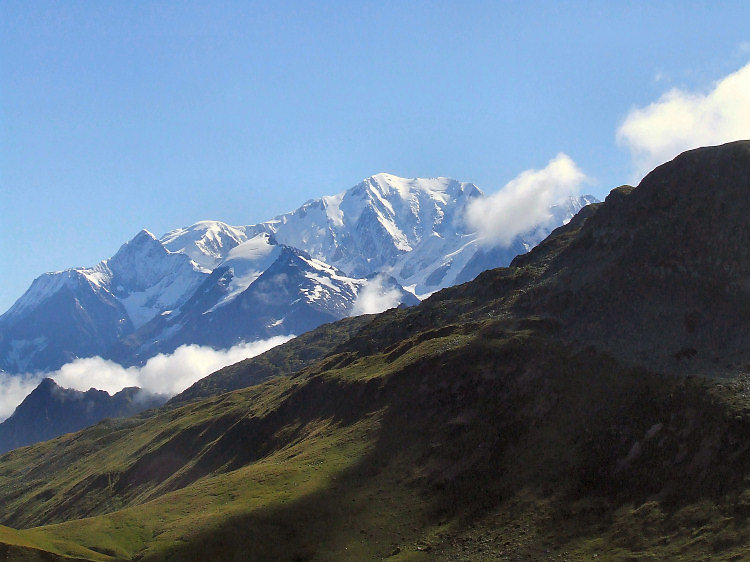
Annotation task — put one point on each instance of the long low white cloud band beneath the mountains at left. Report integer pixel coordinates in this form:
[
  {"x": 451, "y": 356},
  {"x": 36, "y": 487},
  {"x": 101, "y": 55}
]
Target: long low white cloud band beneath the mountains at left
[{"x": 163, "y": 374}]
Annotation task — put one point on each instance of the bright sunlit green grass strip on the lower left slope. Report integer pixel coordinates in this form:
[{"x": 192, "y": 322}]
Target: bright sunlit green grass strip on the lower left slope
[{"x": 159, "y": 526}]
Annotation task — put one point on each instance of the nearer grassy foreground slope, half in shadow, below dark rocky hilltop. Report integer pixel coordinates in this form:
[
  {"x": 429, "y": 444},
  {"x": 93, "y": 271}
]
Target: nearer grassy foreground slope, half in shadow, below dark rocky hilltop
[{"x": 462, "y": 445}]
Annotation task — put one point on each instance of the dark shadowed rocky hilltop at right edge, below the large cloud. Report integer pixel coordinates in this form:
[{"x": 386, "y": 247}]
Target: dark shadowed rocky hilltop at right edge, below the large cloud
[{"x": 659, "y": 274}]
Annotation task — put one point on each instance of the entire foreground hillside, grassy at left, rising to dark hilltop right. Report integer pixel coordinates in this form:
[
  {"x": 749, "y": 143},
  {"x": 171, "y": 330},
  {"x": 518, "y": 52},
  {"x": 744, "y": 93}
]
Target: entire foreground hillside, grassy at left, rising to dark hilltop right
[{"x": 589, "y": 401}]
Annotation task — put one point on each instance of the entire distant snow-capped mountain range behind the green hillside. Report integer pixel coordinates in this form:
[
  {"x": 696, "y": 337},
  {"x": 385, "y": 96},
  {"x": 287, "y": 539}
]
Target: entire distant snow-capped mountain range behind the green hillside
[{"x": 216, "y": 284}]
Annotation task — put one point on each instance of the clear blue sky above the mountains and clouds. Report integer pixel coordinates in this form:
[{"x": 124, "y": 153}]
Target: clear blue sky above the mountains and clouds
[{"x": 117, "y": 116}]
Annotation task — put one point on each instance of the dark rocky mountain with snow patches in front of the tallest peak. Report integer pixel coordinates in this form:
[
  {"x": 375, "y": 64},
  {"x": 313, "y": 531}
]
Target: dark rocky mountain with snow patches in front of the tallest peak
[{"x": 292, "y": 294}]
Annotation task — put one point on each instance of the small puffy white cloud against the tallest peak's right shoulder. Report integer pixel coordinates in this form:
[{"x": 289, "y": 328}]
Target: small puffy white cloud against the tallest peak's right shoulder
[{"x": 524, "y": 203}]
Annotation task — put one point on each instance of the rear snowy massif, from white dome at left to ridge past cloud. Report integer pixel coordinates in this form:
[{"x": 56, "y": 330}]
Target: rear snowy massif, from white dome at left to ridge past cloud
[{"x": 412, "y": 229}]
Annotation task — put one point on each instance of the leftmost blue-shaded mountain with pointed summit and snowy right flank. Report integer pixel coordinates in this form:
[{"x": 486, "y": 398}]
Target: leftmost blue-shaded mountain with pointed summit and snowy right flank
[{"x": 82, "y": 312}]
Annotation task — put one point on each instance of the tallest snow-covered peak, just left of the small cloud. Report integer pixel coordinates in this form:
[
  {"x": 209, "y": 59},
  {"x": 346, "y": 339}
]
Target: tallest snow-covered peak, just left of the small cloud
[{"x": 371, "y": 225}]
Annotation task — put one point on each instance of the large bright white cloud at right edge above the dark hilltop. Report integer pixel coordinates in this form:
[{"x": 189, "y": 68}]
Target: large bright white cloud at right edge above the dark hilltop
[{"x": 681, "y": 120}]
